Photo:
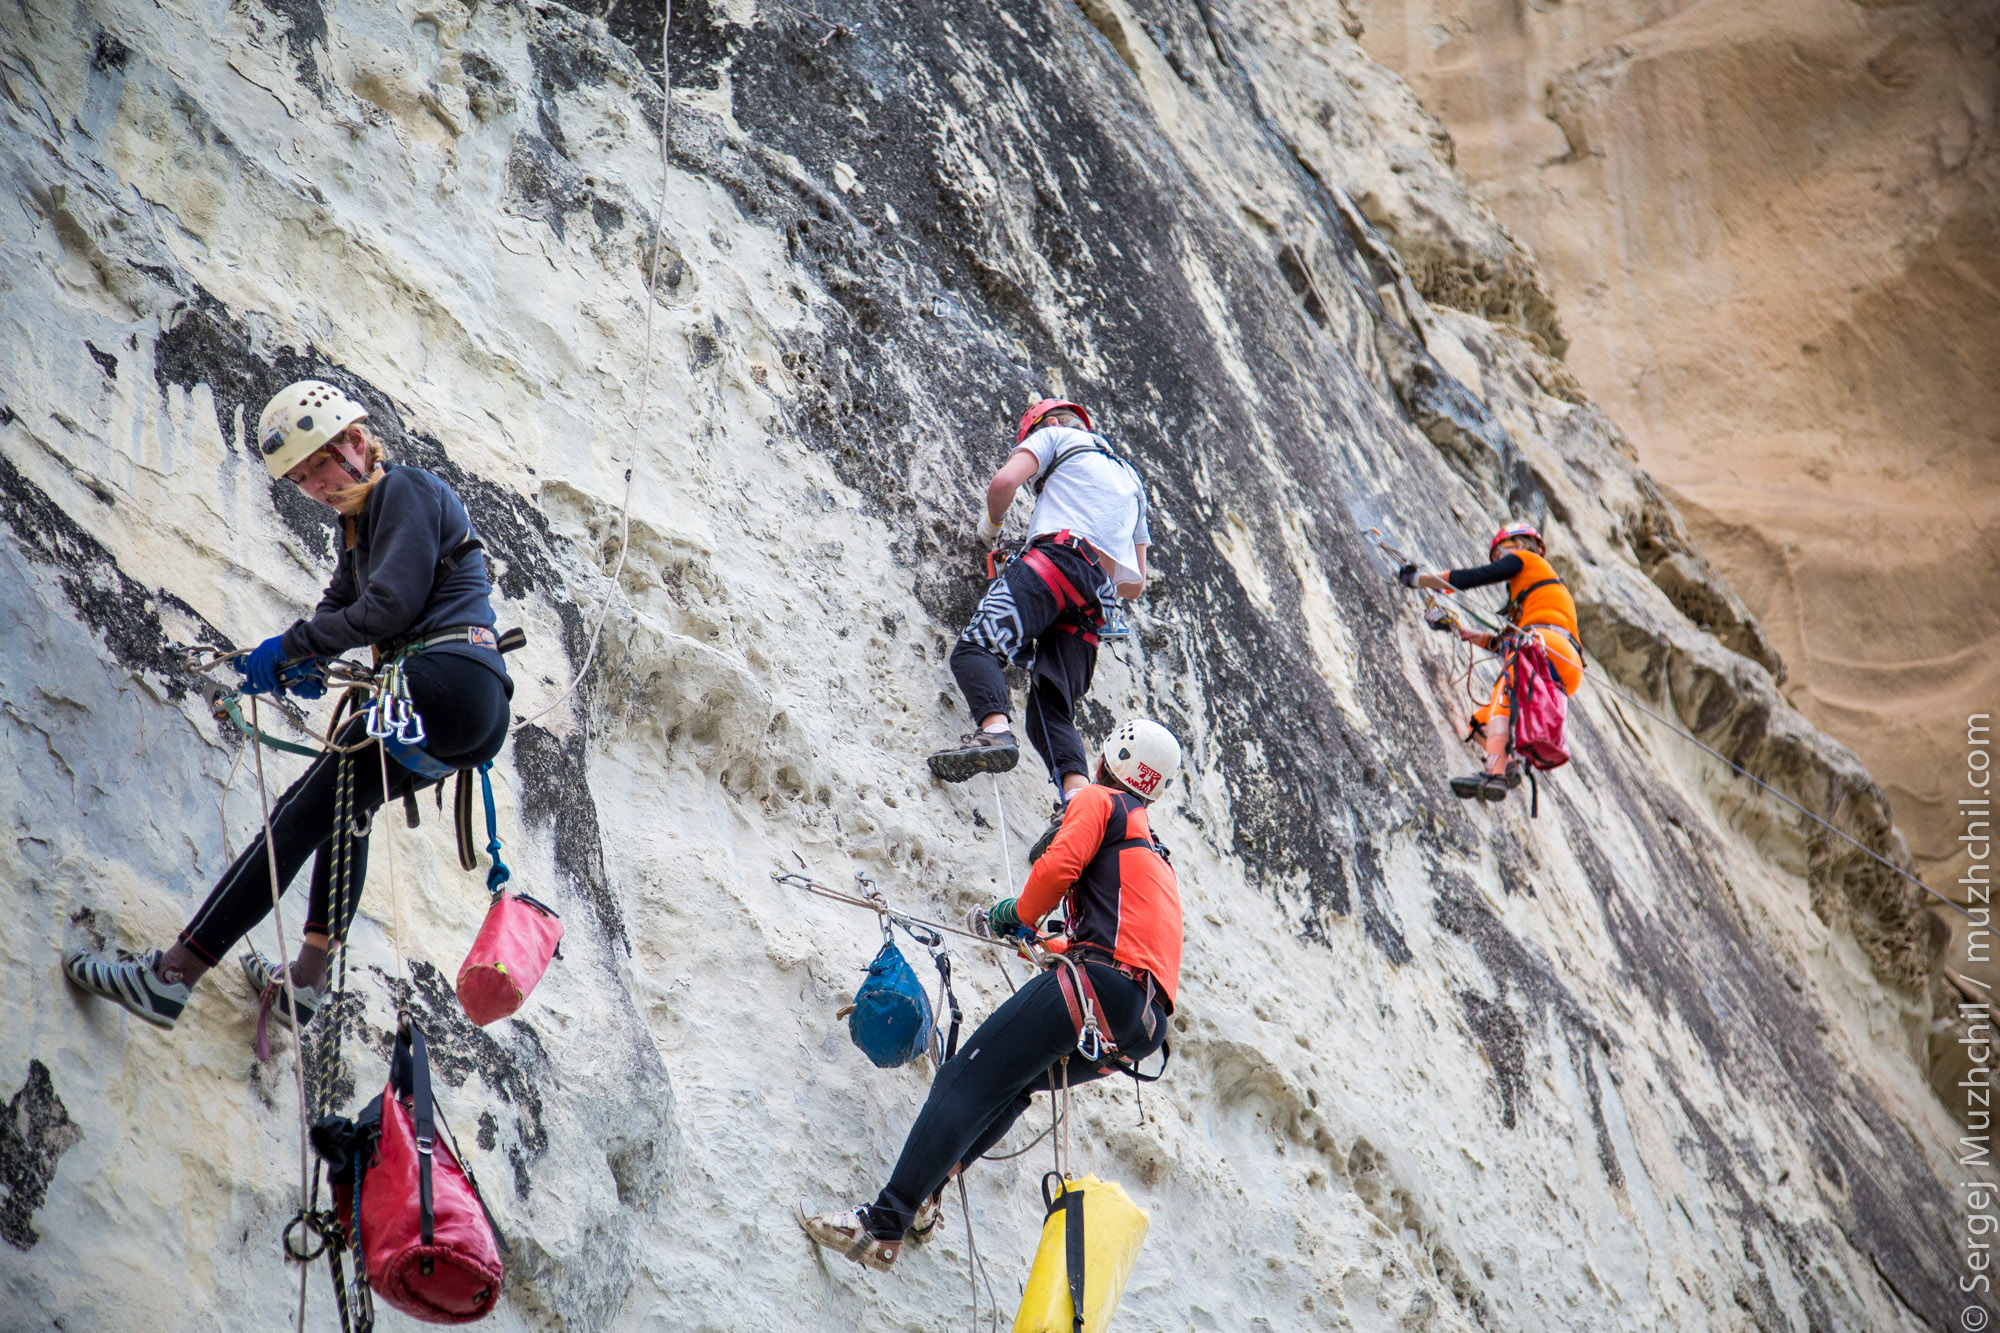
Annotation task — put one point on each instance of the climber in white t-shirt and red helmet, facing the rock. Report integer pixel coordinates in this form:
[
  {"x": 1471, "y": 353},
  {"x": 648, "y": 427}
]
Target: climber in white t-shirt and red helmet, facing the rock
[{"x": 1087, "y": 547}]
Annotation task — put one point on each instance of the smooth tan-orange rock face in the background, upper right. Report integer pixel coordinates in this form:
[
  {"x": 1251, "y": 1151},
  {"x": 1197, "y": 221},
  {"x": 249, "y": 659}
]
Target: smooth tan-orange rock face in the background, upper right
[{"x": 1773, "y": 235}]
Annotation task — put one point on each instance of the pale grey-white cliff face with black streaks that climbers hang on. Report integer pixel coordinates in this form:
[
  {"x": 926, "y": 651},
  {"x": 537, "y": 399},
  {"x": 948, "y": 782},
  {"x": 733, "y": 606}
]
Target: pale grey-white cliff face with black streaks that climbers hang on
[{"x": 1653, "y": 1060}]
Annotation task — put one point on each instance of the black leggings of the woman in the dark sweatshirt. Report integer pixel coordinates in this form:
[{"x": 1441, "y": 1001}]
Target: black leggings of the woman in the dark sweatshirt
[{"x": 465, "y": 710}]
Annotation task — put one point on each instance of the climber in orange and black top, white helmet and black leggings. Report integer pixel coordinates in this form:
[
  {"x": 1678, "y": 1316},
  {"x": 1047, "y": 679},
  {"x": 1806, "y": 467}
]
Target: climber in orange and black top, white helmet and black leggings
[{"x": 1123, "y": 938}]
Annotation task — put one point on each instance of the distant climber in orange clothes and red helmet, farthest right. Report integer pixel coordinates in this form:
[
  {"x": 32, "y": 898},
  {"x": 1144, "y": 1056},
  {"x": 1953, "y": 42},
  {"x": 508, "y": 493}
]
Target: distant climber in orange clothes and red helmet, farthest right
[{"x": 1541, "y": 605}]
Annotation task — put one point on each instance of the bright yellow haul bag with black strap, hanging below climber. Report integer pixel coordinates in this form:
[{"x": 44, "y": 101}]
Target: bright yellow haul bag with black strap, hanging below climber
[{"x": 1089, "y": 1246}]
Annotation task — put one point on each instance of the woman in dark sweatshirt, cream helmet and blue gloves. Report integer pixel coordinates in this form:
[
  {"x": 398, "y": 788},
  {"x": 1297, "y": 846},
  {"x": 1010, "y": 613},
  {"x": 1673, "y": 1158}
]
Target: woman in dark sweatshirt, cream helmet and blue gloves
[{"x": 413, "y": 585}]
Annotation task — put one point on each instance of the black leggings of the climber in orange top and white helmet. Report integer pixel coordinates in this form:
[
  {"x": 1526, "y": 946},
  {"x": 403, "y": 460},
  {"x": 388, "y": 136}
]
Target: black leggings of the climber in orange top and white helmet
[{"x": 985, "y": 1088}]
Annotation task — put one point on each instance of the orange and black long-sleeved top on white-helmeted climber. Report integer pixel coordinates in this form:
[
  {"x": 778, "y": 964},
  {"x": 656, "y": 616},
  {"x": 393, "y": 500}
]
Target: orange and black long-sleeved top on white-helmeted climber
[{"x": 1115, "y": 884}]
